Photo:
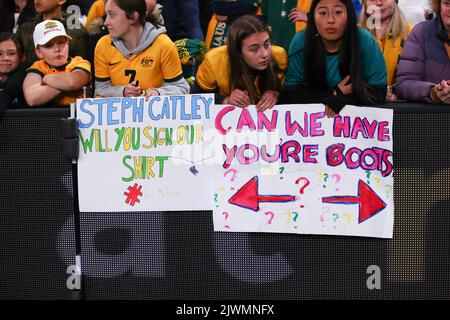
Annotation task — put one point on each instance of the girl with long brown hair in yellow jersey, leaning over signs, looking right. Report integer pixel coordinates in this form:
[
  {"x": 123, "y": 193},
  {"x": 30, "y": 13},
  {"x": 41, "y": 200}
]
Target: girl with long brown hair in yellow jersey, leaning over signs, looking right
[{"x": 248, "y": 70}]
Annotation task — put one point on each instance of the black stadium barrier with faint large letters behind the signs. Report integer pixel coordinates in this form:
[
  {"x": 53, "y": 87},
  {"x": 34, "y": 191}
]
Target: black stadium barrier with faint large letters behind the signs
[{"x": 176, "y": 255}]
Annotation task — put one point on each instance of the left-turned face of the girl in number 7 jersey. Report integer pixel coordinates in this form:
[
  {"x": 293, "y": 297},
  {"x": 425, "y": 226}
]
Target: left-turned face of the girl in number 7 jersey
[{"x": 116, "y": 22}]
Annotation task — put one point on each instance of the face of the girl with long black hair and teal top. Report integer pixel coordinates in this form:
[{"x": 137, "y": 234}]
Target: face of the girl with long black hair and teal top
[{"x": 331, "y": 20}]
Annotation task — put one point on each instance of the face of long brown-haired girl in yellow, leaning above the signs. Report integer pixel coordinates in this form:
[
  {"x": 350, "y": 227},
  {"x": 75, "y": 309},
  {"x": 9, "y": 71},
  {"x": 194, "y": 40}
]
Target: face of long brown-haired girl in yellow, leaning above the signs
[{"x": 256, "y": 50}]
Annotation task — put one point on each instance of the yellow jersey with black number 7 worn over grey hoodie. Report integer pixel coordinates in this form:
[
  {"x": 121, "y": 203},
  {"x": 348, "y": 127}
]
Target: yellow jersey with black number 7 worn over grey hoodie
[{"x": 157, "y": 63}]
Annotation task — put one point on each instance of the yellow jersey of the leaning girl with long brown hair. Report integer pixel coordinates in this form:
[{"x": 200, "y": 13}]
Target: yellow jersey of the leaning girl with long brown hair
[{"x": 214, "y": 72}]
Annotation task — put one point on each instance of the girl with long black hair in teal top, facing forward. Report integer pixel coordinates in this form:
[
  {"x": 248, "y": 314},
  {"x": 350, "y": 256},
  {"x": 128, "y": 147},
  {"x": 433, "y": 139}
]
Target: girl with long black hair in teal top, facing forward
[{"x": 333, "y": 61}]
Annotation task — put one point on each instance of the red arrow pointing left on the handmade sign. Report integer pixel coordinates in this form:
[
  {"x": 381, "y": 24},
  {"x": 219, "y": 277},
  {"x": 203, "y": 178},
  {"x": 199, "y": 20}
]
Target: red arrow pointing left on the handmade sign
[{"x": 247, "y": 196}]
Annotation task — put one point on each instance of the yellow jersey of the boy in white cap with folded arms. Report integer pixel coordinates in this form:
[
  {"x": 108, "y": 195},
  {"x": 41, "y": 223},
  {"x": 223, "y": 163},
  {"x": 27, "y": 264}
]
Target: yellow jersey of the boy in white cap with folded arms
[{"x": 66, "y": 98}]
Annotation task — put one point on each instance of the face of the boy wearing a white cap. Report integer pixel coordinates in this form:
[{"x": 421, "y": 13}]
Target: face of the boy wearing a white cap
[{"x": 55, "y": 52}]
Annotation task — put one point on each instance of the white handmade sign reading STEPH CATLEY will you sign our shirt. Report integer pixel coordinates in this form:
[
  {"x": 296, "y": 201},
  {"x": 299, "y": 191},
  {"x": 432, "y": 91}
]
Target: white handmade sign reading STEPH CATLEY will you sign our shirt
[{"x": 138, "y": 155}]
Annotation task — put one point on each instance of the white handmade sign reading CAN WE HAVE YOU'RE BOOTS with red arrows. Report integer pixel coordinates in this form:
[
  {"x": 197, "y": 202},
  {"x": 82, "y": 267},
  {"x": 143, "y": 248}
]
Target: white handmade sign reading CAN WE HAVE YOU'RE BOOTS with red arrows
[{"x": 291, "y": 169}]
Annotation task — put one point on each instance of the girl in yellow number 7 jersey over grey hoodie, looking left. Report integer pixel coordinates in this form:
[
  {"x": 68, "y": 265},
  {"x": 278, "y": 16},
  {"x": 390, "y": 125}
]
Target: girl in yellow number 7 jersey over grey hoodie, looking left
[{"x": 137, "y": 57}]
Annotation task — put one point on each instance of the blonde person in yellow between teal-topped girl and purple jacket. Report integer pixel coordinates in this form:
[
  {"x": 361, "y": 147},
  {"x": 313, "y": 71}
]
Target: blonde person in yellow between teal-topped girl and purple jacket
[{"x": 385, "y": 20}]
